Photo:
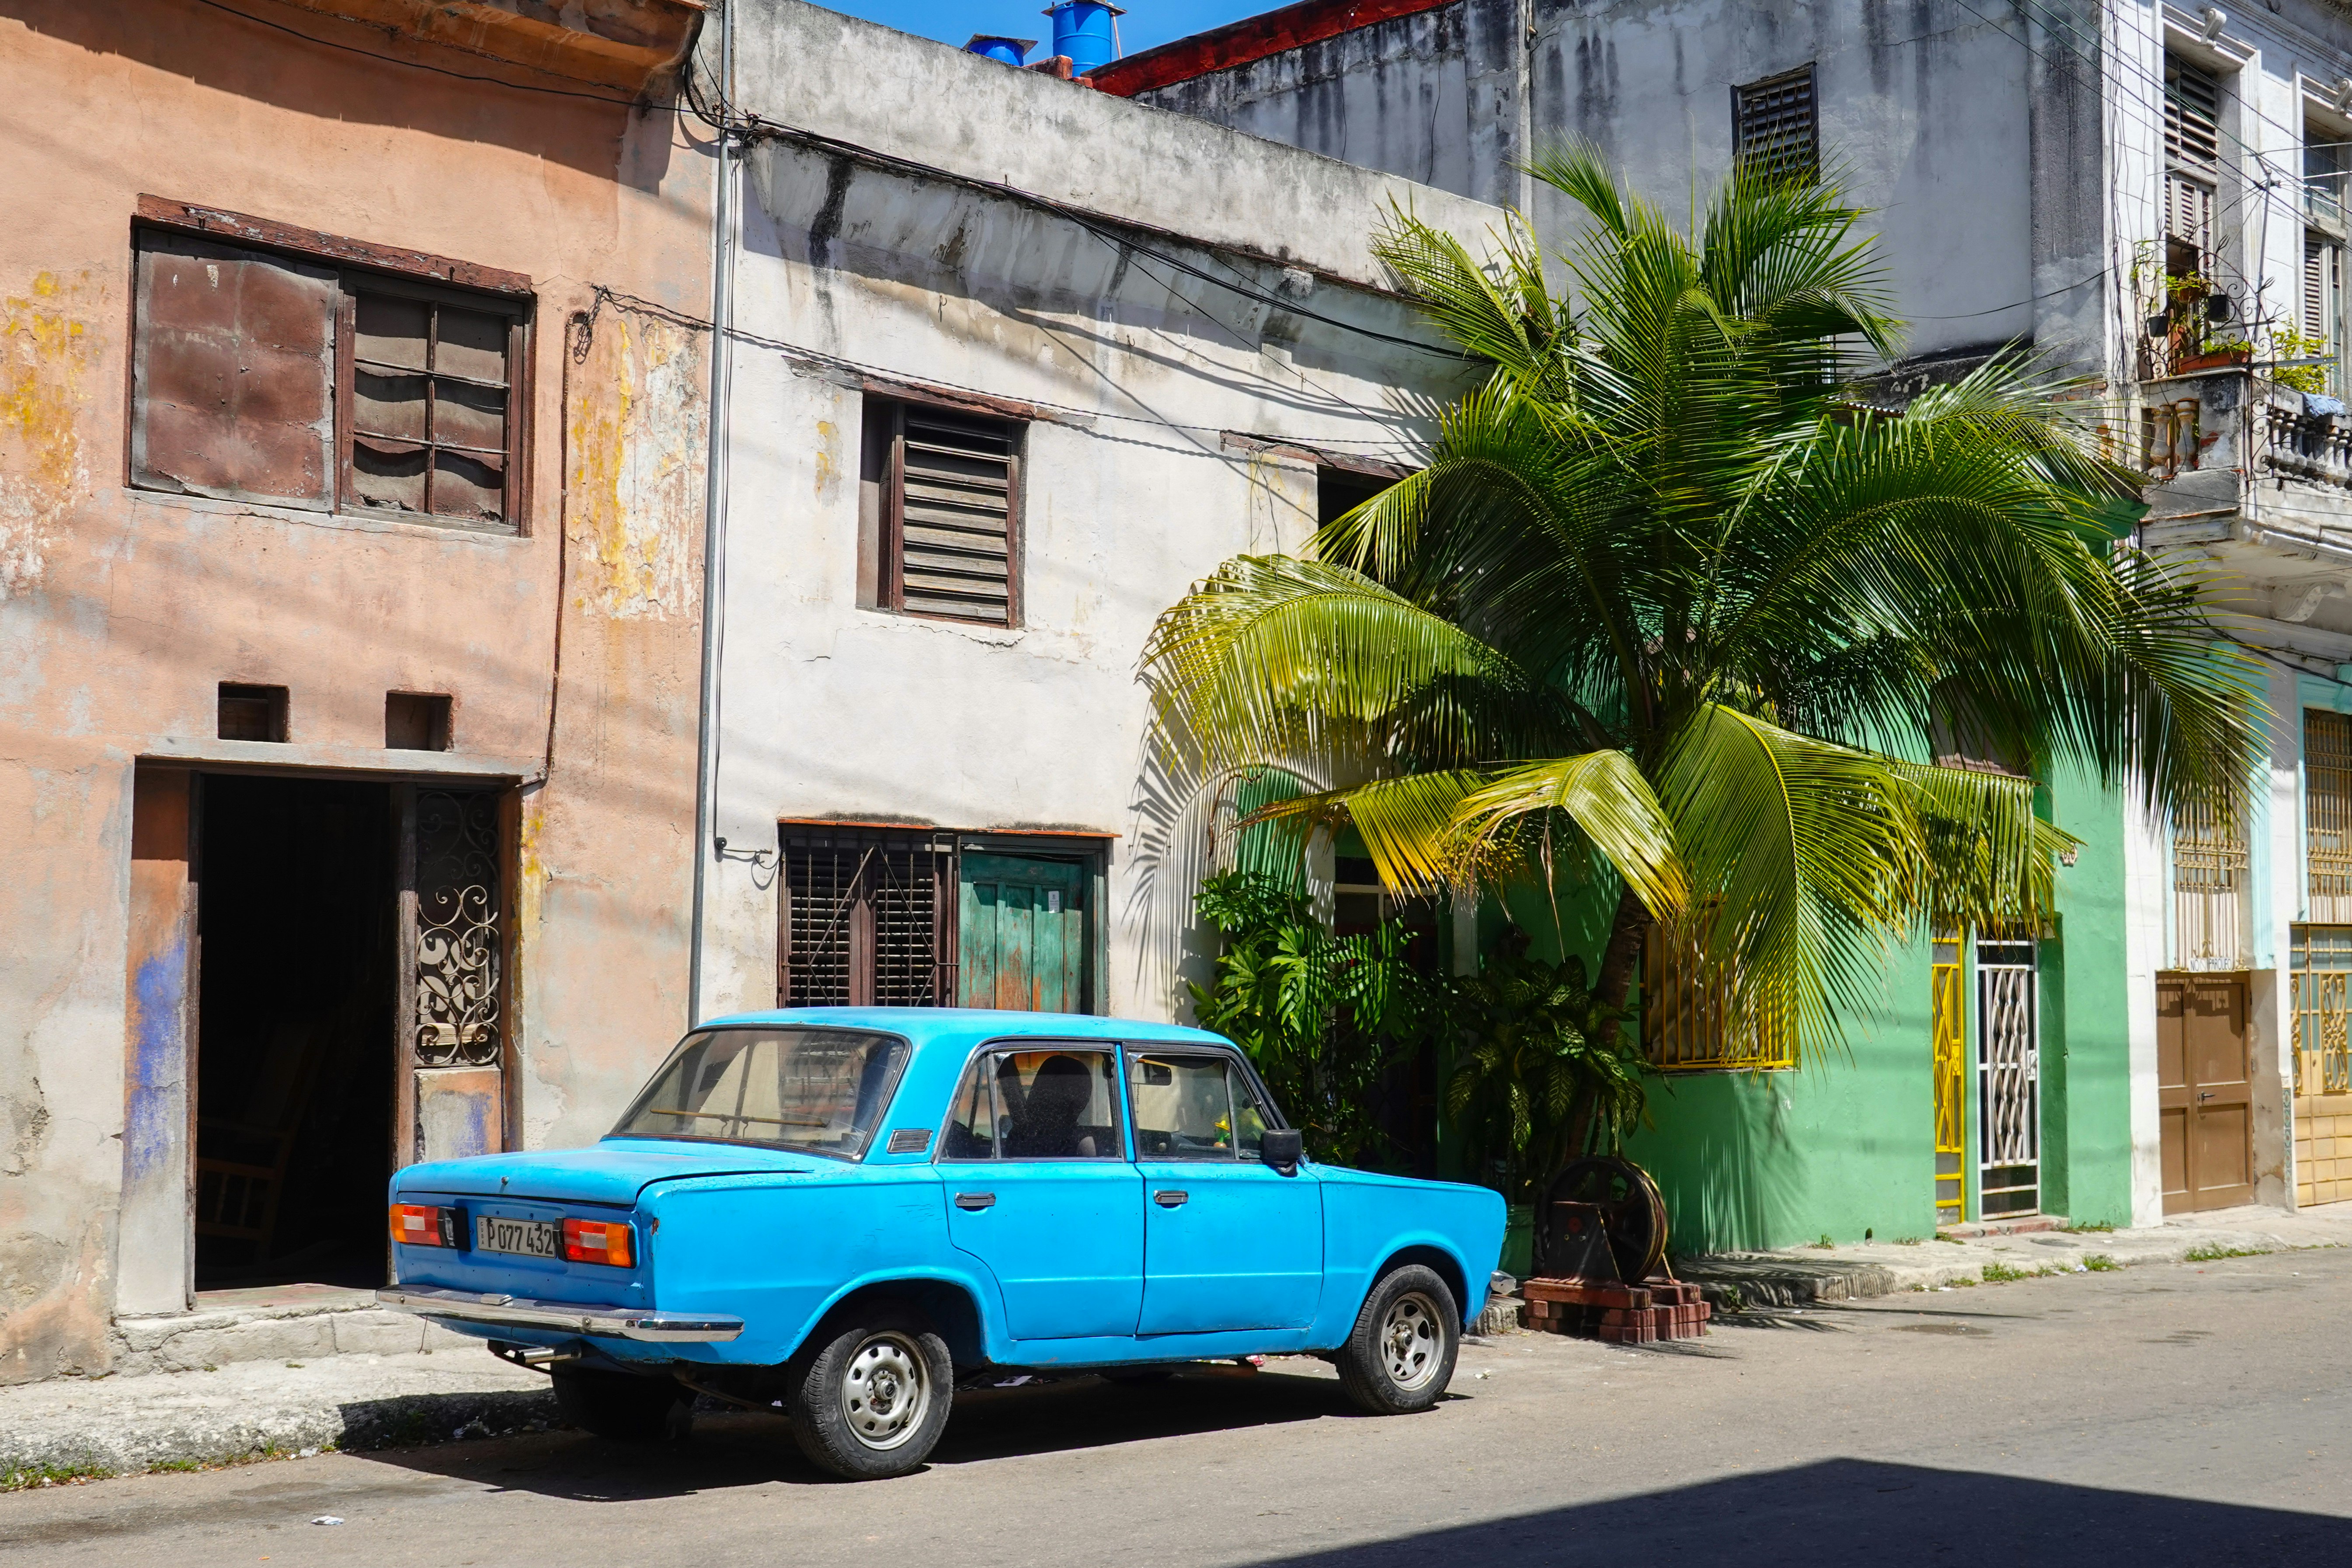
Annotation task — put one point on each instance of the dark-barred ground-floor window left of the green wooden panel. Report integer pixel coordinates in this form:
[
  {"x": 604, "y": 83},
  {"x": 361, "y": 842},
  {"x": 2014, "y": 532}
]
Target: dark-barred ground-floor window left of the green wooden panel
[{"x": 869, "y": 918}]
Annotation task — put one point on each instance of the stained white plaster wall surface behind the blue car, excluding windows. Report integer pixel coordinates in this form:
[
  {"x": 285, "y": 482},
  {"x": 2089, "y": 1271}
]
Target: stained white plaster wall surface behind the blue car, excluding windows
[{"x": 1130, "y": 490}]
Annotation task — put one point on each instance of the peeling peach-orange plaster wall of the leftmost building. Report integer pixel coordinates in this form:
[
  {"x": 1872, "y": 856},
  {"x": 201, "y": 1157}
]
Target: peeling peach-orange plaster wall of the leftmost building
[{"x": 121, "y": 610}]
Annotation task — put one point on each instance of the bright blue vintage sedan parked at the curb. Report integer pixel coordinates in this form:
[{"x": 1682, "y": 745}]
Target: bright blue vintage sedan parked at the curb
[{"x": 846, "y": 1212}]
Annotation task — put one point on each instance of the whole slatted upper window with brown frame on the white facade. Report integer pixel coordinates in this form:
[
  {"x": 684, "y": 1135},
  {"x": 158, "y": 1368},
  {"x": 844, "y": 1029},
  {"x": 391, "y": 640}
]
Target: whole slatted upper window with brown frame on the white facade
[{"x": 944, "y": 514}]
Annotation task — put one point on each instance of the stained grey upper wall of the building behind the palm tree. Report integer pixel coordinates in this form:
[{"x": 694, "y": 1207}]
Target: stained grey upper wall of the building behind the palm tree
[{"x": 1925, "y": 116}]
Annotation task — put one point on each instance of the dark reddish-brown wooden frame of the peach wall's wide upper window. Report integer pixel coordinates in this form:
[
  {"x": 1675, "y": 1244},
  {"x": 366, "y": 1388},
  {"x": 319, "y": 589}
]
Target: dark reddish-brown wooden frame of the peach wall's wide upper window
[{"x": 373, "y": 269}]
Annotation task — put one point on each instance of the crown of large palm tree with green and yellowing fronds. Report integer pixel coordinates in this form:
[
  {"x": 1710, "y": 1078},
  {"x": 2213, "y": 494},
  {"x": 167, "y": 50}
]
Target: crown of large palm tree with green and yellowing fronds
[{"x": 1678, "y": 608}]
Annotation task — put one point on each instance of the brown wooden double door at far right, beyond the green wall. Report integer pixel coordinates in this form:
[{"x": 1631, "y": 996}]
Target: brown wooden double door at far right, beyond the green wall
[{"x": 2205, "y": 1092}]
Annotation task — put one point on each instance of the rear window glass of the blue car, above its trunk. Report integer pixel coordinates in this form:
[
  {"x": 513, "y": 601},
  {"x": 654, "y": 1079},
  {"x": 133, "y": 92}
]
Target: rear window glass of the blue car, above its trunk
[{"x": 791, "y": 1090}]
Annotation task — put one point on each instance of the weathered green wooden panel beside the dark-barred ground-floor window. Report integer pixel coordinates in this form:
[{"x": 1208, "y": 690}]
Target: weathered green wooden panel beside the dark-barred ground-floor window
[{"x": 1022, "y": 934}]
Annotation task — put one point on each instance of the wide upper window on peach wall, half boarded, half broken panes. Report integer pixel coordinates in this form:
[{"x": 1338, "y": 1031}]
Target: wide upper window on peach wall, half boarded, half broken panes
[{"x": 293, "y": 382}]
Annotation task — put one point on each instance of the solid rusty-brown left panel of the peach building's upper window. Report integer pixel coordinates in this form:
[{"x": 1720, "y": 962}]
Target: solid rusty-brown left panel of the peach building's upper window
[{"x": 234, "y": 375}]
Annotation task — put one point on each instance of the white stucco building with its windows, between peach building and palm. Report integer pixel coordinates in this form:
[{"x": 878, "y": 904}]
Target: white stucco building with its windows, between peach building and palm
[{"x": 1015, "y": 363}]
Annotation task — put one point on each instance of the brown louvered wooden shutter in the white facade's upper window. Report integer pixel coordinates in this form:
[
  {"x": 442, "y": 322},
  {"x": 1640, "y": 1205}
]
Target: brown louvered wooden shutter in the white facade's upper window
[{"x": 956, "y": 521}]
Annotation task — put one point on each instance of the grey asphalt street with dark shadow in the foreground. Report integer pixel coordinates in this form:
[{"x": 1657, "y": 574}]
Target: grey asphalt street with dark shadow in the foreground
[{"x": 2167, "y": 1414}]
